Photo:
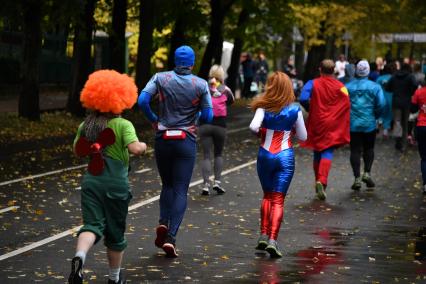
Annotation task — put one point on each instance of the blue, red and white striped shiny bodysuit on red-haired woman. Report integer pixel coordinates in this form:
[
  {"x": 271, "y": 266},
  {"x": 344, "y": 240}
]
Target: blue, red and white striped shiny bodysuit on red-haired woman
[{"x": 275, "y": 161}]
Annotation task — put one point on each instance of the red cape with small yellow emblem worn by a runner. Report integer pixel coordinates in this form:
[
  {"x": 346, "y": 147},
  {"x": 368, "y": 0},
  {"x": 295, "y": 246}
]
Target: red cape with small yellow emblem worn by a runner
[{"x": 328, "y": 122}]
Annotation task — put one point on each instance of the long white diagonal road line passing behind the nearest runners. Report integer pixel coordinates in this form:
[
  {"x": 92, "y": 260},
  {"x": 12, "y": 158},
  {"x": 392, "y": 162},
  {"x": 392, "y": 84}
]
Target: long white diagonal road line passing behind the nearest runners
[{"x": 133, "y": 207}]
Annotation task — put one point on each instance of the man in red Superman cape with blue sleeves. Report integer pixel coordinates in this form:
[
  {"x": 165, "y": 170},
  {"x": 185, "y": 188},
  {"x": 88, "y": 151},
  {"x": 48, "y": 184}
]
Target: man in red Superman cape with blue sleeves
[{"x": 328, "y": 123}]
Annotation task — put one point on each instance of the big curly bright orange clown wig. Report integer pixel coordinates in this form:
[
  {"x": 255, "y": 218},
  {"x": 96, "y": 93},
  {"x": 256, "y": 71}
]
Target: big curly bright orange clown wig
[{"x": 109, "y": 91}]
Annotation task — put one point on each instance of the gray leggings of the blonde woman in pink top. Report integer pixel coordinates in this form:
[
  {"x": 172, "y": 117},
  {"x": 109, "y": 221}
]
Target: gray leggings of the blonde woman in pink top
[{"x": 212, "y": 137}]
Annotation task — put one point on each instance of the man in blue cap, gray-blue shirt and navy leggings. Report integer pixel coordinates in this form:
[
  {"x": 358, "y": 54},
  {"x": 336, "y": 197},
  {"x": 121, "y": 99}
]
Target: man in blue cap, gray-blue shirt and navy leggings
[{"x": 181, "y": 96}]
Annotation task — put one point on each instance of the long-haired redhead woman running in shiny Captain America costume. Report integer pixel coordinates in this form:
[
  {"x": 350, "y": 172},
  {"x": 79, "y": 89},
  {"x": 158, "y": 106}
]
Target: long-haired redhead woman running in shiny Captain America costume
[{"x": 276, "y": 119}]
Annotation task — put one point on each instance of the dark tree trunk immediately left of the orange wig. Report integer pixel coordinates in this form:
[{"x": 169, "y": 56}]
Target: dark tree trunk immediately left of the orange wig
[{"x": 82, "y": 65}]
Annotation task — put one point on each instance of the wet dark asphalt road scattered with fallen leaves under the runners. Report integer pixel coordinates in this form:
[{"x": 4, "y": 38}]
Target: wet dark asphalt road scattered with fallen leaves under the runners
[{"x": 352, "y": 237}]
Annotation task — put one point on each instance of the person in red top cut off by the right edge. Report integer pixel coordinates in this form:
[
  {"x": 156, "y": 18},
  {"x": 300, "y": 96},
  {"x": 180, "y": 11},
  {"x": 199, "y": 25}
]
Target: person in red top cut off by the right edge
[{"x": 418, "y": 103}]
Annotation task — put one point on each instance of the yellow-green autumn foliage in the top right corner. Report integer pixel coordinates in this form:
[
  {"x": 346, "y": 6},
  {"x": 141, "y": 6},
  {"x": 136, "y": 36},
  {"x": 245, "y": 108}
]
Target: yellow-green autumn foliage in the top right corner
[{"x": 363, "y": 19}]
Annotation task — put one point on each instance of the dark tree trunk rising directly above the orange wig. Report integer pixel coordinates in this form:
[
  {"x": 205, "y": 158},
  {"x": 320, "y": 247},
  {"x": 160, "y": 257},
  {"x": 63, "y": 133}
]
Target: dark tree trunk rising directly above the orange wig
[{"x": 117, "y": 36}]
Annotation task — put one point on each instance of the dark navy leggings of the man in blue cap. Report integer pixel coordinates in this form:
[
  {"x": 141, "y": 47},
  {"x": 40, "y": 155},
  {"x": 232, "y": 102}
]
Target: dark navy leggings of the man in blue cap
[{"x": 175, "y": 162}]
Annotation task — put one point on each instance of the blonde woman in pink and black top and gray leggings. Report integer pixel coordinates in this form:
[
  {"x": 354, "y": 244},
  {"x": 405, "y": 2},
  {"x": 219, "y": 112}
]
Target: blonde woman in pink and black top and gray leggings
[{"x": 213, "y": 135}]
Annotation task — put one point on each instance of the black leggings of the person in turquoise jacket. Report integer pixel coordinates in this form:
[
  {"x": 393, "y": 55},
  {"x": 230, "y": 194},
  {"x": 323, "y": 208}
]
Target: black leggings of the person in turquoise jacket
[{"x": 362, "y": 142}]
